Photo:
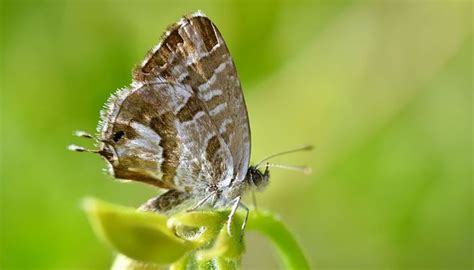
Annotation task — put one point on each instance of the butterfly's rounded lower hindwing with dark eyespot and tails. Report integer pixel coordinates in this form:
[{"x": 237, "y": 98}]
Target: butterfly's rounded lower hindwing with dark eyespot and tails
[{"x": 161, "y": 134}]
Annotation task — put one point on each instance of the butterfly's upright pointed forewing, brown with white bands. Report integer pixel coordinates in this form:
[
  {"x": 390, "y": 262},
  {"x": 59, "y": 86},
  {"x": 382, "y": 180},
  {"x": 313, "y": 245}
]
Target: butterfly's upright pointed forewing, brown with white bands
[{"x": 193, "y": 53}]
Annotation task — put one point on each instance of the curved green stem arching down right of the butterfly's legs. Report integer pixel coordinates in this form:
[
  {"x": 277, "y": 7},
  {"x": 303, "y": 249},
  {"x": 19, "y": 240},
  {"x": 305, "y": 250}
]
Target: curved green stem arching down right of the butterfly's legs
[{"x": 269, "y": 225}]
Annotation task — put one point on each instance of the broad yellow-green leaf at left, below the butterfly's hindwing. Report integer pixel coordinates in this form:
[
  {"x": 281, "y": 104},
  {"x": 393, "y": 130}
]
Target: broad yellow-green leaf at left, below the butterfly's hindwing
[{"x": 140, "y": 236}]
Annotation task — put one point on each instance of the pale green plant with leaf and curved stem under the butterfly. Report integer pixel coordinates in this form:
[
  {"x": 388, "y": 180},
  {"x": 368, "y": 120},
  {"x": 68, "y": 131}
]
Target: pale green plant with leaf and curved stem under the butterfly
[{"x": 196, "y": 239}]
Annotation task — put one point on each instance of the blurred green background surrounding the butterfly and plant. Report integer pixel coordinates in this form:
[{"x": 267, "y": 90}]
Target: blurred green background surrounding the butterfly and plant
[{"x": 382, "y": 89}]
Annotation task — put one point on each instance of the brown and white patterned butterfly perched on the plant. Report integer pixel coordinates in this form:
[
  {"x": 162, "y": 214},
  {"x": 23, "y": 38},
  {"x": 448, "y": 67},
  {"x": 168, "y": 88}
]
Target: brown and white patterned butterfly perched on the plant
[{"x": 182, "y": 125}]
